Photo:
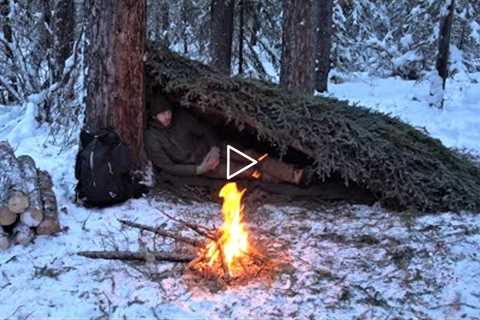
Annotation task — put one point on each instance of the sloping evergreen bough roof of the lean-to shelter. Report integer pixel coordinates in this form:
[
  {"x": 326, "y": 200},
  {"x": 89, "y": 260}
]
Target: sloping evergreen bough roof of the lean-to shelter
[{"x": 404, "y": 167}]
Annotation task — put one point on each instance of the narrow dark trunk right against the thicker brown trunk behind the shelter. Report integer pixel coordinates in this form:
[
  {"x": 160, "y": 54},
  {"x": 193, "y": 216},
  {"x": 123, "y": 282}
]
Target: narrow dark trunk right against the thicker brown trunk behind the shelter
[{"x": 323, "y": 10}]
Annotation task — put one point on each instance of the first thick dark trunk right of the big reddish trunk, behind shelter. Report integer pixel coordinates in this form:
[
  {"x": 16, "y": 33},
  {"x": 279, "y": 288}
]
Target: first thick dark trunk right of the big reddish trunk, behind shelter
[{"x": 221, "y": 37}]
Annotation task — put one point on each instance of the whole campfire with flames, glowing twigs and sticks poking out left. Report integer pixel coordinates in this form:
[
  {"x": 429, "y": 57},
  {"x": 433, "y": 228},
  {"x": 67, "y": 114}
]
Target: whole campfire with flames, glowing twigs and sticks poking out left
[{"x": 230, "y": 254}]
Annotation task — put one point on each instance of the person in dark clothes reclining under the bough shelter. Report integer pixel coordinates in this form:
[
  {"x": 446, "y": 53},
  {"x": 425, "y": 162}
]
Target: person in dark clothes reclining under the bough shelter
[{"x": 180, "y": 145}]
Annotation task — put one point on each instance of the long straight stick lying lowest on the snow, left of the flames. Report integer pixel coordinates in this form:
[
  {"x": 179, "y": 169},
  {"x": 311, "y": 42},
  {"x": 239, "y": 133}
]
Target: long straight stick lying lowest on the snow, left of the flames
[{"x": 136, "y": 256}]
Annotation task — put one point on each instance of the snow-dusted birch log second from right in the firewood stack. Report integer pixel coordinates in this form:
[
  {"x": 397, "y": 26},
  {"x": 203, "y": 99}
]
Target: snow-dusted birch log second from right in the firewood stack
[{"x": 33, "y": 215}]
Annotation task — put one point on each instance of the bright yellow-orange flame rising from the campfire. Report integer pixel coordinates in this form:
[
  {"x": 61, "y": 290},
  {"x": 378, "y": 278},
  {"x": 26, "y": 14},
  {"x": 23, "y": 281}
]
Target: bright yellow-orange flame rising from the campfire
[{"x": 233, "y": 242}]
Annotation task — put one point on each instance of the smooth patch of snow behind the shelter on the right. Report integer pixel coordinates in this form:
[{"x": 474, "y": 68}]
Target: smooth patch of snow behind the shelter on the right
[{"x": 457, "y": 125}]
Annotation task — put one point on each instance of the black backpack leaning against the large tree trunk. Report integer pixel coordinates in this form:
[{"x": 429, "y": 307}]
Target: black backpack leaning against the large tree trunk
[{"x": 102, "y": 170}]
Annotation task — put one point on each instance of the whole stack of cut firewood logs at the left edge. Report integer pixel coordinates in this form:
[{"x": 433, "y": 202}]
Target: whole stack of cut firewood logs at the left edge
[{"x": 27, "y": 202}]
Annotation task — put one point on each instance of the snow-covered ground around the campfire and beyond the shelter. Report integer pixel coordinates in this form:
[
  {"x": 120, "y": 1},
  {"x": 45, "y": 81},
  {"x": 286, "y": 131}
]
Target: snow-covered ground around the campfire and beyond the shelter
[{"x": 349, "y": 262}]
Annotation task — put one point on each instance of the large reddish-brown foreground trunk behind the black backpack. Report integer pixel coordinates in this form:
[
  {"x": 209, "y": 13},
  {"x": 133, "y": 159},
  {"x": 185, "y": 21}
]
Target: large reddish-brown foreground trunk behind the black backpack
[{"x": 115, "y": 79}]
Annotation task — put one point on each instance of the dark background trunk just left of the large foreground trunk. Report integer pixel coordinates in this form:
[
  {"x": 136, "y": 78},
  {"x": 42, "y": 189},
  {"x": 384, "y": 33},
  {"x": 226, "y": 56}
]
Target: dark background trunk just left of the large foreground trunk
[{"x": 63, "y": 25}]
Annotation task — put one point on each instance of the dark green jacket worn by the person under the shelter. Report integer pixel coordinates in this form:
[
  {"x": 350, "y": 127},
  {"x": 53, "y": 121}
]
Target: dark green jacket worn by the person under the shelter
[{"x": 179, "y": 148}]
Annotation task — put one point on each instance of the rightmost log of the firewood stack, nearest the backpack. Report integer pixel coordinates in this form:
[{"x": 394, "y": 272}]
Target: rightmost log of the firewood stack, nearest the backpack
[{"x": 50, "y": 224}]
